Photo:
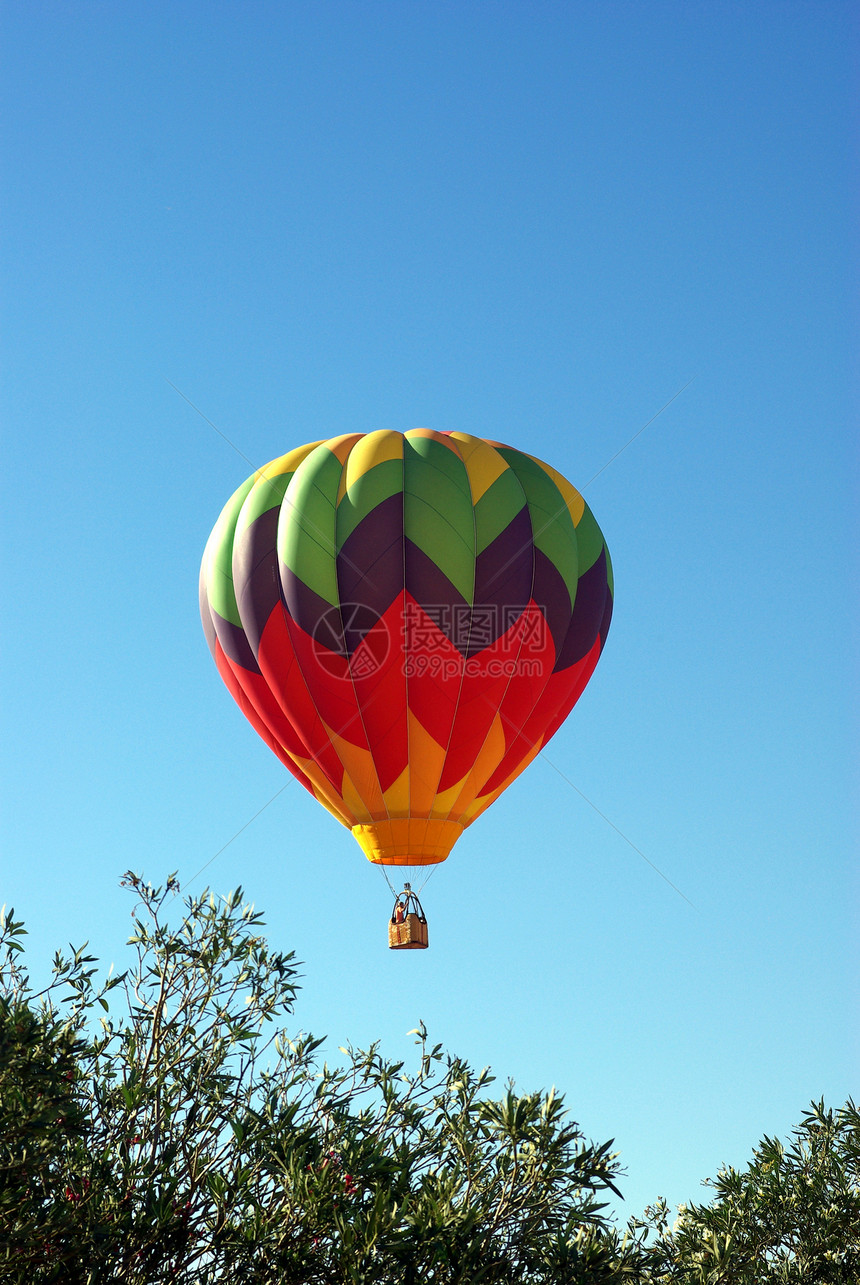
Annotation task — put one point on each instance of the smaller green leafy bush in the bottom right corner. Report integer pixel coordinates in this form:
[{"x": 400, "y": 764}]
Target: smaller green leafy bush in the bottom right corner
[{"x": 793, "y": 1216}]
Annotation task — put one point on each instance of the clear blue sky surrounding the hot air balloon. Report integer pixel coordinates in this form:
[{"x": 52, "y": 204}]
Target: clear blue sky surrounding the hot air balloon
[{"x": 535, "y": 223}]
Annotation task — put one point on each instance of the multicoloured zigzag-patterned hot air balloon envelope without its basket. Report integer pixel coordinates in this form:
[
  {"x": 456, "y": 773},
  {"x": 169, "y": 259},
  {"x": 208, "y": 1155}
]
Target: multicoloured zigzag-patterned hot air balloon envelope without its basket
[{"x": 407, "y": 619}]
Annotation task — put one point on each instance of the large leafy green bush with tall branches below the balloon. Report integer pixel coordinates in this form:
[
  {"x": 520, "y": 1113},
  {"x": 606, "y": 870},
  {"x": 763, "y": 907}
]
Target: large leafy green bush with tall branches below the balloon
[{"x": 164, "y": 1126}]
